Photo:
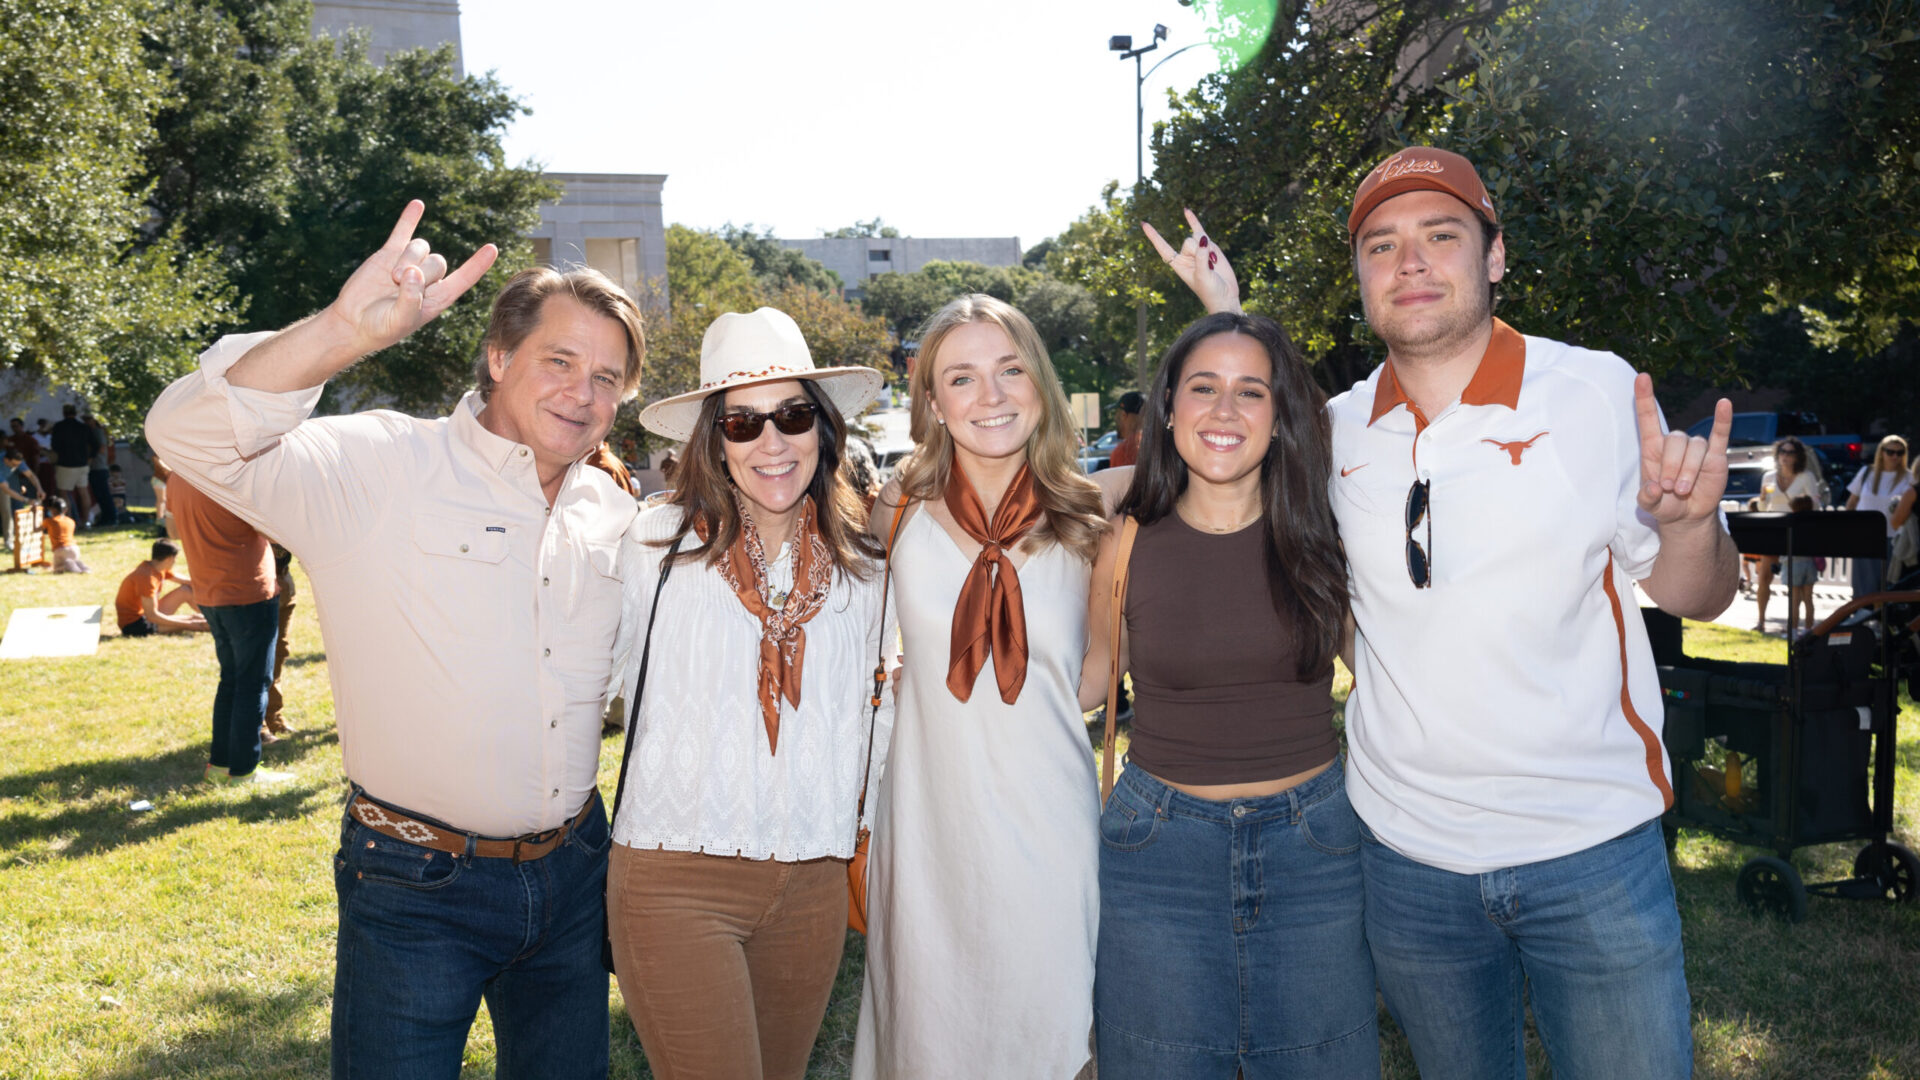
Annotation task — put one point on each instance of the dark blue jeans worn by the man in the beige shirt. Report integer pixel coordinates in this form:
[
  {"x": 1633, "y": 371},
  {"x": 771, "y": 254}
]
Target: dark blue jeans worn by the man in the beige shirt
[{"x": 425, "y": 937}]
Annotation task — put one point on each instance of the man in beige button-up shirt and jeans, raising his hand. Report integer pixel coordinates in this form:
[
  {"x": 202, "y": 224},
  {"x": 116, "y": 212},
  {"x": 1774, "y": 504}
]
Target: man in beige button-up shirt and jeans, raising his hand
[{"x": 466, "y": 577}]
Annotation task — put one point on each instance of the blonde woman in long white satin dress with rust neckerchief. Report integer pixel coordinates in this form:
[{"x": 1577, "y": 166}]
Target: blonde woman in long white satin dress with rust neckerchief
[{"x": 984, "y": 881}]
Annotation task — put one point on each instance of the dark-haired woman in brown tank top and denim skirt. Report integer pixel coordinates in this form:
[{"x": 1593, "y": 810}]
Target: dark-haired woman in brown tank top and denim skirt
[{"x": 1232, "y": 925}]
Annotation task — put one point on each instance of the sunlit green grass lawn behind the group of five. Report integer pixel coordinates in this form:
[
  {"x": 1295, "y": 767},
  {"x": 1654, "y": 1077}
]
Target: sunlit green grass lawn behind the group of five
[{"x": 197, "y": 939}]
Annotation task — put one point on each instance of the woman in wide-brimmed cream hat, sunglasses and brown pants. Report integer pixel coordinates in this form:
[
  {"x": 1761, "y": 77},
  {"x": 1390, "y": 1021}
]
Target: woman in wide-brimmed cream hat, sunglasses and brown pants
[{"x": 727, "y": 896}]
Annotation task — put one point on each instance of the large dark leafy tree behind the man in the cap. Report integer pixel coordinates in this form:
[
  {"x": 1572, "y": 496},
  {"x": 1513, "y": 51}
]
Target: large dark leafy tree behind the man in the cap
[{"x": 1666, "y": 172}]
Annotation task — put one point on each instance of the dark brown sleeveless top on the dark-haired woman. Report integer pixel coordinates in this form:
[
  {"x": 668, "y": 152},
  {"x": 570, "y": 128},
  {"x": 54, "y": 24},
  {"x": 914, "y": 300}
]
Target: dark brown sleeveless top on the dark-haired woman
[{"x": 1216, "y": 700}]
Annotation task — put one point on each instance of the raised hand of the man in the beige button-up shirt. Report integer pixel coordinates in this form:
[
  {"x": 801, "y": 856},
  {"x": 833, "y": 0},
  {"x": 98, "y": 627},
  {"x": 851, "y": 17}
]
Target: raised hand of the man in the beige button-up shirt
[{"x": 404, "y": 285}]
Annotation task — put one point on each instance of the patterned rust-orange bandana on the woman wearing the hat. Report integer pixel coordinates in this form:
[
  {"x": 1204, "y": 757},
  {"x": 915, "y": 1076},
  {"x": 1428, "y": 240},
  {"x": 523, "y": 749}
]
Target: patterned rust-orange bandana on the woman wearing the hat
[{"x": 782, "y": 633}]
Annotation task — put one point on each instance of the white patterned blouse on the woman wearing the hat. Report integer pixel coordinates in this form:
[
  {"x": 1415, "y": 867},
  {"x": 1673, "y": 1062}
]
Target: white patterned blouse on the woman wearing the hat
[{"x": 702, "y": 775}]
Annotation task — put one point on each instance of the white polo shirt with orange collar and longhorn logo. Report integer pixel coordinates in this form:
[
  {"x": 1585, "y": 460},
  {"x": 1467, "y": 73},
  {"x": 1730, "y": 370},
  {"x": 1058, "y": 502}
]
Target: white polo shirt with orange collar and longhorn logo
[{"x": 1510, "y": 712}]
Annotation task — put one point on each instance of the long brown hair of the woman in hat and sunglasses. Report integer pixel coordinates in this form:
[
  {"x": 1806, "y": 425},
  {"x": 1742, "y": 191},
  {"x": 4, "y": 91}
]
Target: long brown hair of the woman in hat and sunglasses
[{"x": 706, "y": 493}]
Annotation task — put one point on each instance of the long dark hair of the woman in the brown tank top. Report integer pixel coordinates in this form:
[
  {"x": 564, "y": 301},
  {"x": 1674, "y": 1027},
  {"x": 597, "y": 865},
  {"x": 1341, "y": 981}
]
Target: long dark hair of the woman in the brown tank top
[{"x": 1307, "y": 568}]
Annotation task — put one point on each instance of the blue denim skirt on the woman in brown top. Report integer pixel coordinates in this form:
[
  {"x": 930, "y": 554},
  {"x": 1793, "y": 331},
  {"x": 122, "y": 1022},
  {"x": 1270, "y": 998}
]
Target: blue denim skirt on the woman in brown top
[{"x": 1232, "y": 937}]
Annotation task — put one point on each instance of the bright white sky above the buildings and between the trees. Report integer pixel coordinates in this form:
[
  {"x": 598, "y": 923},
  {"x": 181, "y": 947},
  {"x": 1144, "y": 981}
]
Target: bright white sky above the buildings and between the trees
[{"x": 988, "y": 118}]
